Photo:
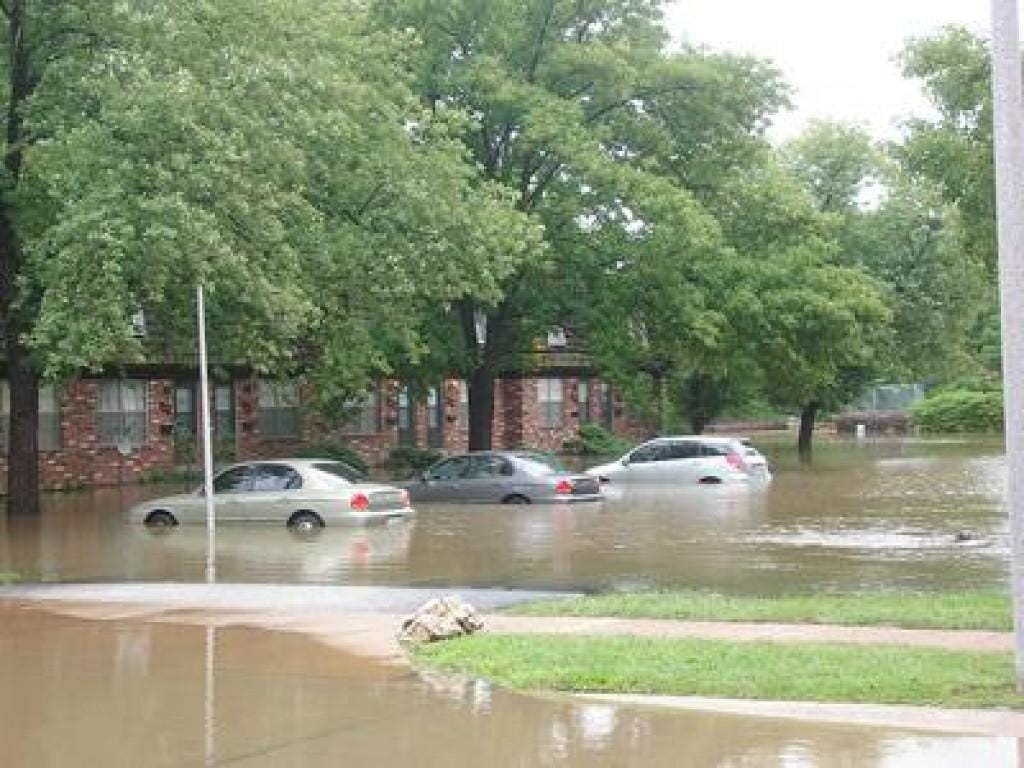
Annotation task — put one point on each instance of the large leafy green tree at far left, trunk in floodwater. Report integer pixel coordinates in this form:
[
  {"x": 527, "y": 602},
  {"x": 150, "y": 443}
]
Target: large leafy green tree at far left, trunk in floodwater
[{"x": 271, "y": 151}]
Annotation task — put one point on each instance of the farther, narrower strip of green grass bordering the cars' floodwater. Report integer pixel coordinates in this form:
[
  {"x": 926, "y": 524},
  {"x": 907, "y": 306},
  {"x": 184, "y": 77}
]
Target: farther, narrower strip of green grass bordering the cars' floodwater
[{"x": 967, "y": 611}]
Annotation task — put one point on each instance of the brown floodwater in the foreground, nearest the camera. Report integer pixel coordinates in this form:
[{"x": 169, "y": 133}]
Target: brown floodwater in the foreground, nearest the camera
[{"x": 81, "y": 694}]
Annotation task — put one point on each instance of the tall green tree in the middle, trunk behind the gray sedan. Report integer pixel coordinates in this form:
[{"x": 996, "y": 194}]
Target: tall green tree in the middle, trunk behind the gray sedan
[{"x": 580, "y": 113}]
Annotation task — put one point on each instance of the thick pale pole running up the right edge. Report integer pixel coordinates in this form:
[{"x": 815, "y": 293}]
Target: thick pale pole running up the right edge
[{"x": 1009, "y": 134}]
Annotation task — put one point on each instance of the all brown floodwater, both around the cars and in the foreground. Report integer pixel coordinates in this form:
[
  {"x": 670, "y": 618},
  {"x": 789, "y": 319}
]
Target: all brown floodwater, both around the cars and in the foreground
[{"x": 76, "y": 693}]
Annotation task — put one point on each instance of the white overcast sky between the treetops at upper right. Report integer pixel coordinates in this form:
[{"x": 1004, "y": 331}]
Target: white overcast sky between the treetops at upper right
[{"x": 839, "y": 56}]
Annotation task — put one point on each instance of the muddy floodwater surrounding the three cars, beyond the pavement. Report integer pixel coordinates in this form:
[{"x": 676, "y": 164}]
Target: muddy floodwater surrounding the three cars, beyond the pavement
[{"x": 868, "y": 516}]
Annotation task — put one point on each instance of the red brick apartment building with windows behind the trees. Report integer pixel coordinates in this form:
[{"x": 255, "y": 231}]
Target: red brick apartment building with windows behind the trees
[{"x": 109, "y": 431}]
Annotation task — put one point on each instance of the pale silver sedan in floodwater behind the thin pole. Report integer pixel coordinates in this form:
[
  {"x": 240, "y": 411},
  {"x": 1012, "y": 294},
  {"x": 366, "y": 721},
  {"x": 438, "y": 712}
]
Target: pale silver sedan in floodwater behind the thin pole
[{"x": 304, "y": 494}]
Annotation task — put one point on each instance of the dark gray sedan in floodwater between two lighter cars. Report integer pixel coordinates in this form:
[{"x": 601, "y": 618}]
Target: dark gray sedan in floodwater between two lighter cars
[{"x": 505, "y": 478}]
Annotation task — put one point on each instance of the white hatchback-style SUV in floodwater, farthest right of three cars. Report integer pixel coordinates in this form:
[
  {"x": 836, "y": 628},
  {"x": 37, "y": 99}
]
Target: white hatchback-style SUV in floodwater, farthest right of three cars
[{"x": 688, "y": 460}]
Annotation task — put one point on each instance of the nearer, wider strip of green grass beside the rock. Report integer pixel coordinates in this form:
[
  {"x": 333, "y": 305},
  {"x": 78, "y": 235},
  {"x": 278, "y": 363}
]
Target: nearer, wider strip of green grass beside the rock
[{"x": 706, "y": 668}]
